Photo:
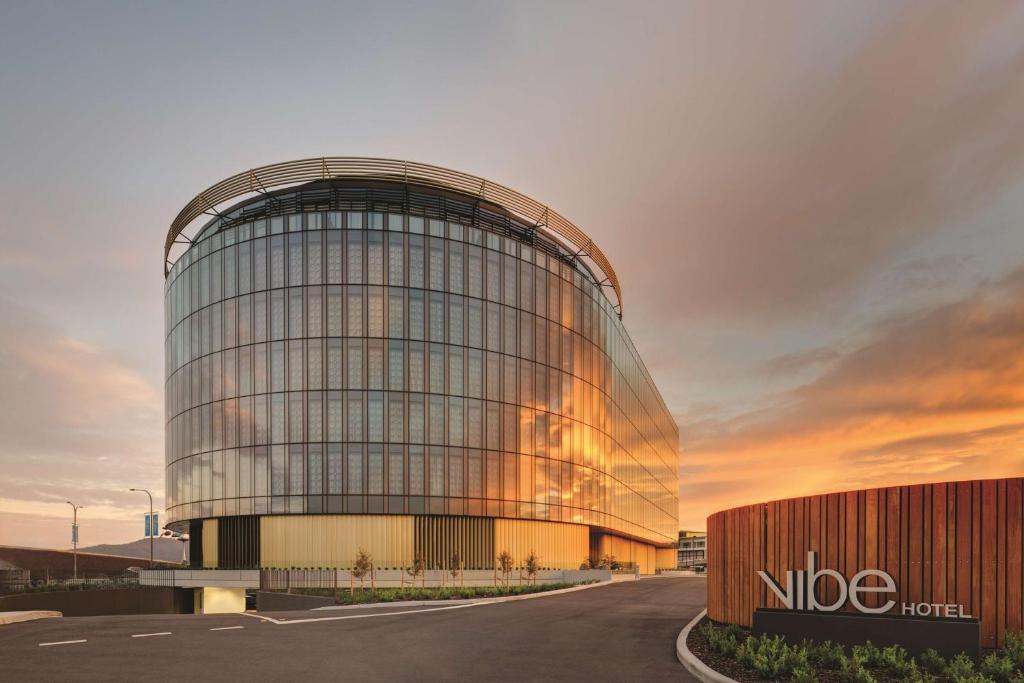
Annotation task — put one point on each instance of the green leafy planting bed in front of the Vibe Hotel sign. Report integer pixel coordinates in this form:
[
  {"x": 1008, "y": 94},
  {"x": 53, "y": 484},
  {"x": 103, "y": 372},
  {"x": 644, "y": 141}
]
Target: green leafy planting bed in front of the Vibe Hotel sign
[{"x": 736, "y": 653}]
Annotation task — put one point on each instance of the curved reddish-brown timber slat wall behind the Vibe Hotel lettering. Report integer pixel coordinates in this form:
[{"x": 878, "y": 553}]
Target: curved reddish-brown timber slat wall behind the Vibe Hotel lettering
[{"x": 945, "y": 543}]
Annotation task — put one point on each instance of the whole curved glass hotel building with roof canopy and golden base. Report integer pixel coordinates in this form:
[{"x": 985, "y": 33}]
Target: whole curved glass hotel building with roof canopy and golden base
[{"x": 388, "y": 356}]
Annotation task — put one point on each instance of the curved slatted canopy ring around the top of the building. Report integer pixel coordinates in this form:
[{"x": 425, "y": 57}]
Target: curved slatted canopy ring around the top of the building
[{"x": 325, "y": 168}]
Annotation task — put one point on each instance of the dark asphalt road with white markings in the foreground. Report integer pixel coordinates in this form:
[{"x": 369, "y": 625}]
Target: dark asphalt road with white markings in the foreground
[{"x": 622, "y": 632}]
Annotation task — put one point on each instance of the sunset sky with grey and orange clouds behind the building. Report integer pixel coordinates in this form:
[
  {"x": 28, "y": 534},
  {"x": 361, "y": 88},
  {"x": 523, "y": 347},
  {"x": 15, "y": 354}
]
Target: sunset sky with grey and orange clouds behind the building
[{"x": 817, "y": 211}]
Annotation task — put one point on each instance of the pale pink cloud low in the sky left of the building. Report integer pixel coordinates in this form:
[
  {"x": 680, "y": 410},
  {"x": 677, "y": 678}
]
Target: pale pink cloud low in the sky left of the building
[{"x": 75, "y": 423}]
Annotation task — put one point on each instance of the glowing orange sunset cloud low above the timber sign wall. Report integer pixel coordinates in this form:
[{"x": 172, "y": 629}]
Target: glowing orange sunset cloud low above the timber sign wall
[{"x": 933, "y": 398}]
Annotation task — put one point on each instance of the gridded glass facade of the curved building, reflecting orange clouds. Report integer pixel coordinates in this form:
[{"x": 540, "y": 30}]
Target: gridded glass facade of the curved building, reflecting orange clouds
[{"x": 368, "y": 358}]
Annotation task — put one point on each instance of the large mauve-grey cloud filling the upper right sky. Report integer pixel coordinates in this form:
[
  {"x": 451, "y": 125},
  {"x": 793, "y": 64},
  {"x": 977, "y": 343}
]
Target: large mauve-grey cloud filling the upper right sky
[{"x": 820, "y": 167}]
